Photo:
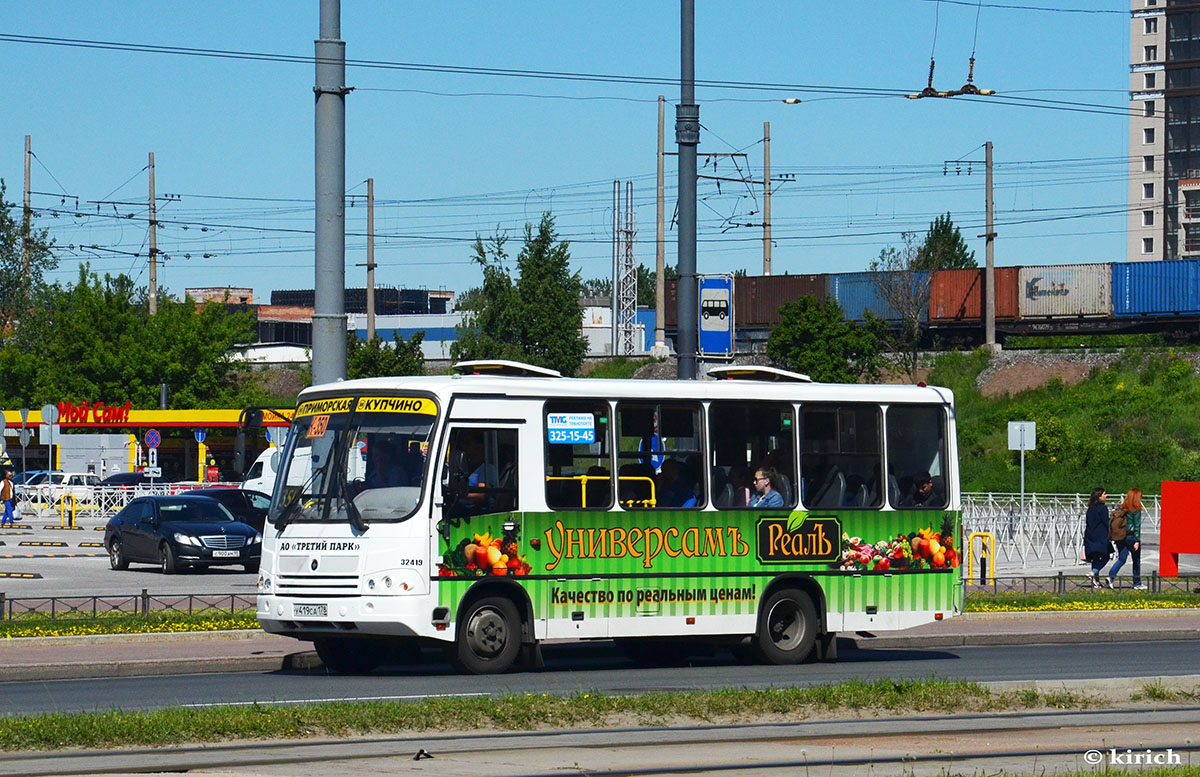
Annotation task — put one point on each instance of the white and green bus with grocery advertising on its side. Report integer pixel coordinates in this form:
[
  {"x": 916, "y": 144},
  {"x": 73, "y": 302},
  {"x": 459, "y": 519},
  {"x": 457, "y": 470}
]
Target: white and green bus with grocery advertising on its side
[{"x": 506, "y": 505}]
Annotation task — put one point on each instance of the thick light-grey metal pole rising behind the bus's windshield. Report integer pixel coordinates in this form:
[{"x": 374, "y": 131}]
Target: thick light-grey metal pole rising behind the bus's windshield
[{"x": 329, "y": 304}]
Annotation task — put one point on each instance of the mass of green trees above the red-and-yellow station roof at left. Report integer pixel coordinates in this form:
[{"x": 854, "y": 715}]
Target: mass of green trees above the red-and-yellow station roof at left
[{"x": 95, "y": 340}]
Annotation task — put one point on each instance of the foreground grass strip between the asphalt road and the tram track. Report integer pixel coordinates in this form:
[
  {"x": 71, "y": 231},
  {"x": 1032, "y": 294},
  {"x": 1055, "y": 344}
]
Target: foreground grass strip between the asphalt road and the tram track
[{"x": 109, "y": 730}]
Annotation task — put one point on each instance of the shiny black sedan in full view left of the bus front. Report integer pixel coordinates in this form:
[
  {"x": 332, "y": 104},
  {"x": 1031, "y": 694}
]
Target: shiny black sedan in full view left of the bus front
[{"x": 181, "y": 532}]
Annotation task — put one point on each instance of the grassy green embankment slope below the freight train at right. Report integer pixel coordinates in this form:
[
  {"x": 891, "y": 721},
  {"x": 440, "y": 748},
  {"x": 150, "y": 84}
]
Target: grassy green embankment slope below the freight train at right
[{"x": 1135, "y": 424}]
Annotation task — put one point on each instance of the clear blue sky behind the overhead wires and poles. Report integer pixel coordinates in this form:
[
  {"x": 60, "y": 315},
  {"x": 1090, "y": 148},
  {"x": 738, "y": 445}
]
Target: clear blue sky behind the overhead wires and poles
[{"x": 459, "y": 155}]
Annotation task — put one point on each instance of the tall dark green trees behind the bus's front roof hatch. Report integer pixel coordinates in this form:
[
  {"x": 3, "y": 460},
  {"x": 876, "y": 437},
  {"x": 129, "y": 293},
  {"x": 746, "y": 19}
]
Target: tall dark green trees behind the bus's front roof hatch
[{"x": 535, "y": 318}]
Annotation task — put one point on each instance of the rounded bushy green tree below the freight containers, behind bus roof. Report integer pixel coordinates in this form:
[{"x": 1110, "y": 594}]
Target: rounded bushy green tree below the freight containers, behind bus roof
[{"x": 815, "y": 339}]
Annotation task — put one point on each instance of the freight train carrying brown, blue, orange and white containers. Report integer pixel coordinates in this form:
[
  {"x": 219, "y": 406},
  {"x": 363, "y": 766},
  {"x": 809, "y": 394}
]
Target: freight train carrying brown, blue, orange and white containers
[{"x": 1107, "y": 298}]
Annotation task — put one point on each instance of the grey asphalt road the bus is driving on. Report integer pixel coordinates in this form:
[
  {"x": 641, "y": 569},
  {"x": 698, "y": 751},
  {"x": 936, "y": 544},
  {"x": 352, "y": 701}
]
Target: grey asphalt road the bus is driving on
[{"x": 581, "y": 668}]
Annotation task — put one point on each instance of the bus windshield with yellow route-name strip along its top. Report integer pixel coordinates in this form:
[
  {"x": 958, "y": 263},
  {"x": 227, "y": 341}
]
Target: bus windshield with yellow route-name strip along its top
[{"x": 359, "y": 460}]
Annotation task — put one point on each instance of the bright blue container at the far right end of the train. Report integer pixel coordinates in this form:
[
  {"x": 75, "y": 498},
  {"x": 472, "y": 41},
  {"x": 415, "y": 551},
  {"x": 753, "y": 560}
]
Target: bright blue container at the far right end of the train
[{"x": 1156, "y": 288}]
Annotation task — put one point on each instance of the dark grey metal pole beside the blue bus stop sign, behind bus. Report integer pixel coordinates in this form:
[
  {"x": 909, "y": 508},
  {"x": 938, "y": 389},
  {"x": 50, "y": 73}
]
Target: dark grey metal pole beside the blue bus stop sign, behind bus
[{"x": 688, "y": 138}]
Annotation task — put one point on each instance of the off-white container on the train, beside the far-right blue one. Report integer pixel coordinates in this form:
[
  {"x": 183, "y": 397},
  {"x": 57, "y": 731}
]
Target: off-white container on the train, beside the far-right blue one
[{"x": 1065, "y": 292}]
